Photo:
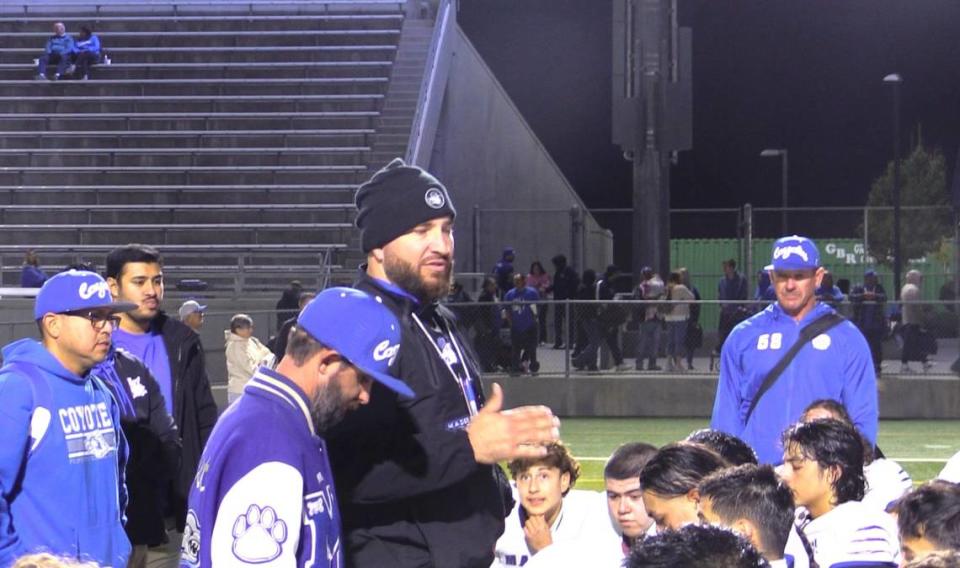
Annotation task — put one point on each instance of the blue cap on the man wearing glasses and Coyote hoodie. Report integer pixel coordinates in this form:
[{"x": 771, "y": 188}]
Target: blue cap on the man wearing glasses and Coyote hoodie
[{"x": 76, "y": 290}]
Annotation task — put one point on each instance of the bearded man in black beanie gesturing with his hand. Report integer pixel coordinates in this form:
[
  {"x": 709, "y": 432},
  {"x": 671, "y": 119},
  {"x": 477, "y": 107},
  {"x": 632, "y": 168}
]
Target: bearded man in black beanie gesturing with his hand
[{"x": 417, "y": 479}]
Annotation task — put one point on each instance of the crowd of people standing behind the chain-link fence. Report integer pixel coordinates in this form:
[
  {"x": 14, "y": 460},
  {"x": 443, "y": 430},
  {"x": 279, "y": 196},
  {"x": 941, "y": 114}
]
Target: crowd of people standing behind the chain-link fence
[{"x": 662, "y": 327}]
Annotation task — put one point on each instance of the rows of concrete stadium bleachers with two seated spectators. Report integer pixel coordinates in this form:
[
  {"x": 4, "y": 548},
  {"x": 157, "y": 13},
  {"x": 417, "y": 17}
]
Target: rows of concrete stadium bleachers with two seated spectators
[{"x": 231, "y": 135}]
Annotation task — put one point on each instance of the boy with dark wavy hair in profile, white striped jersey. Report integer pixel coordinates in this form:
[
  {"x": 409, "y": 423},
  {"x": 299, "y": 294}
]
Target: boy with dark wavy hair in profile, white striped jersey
[{"x": 823, "y": 466}]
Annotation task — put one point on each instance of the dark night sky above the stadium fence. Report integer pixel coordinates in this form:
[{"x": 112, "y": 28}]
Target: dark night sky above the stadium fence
[{"x": 805, "y": 75}]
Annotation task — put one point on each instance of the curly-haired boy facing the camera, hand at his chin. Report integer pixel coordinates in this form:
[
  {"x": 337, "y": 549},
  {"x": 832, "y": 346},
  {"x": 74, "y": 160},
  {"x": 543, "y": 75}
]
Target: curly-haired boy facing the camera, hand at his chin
[{"x": 547, "y": 510}]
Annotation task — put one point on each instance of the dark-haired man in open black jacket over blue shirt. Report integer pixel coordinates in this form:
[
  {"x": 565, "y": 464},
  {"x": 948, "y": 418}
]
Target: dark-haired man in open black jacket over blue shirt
[{"x": 172, "y": 352}]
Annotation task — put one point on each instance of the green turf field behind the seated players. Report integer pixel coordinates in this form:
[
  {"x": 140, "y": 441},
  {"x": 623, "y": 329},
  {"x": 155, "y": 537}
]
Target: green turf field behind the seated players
[{"x": 921, "y": 446}]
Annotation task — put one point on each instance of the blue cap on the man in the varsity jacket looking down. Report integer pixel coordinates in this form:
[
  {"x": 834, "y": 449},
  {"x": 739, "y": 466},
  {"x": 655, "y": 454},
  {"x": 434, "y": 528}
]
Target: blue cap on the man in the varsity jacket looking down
[{"x": 358, "y": 327}]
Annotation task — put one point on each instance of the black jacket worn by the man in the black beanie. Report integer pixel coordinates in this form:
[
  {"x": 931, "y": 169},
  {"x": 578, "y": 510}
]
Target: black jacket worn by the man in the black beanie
[{"x": 409, "y": 489}]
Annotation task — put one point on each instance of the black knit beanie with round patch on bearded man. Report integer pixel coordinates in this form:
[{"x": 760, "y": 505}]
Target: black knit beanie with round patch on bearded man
[{"x": 396, "y": 199}]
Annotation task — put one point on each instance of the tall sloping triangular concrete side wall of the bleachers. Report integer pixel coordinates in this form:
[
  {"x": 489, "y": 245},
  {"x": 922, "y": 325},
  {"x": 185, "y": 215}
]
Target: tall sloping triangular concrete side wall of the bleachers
[{"x": 490, "y": 159}]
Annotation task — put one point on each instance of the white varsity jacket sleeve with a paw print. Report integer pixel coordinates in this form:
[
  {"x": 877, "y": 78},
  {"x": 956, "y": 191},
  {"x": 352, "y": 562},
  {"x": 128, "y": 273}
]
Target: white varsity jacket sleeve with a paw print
[{"x": 258, "y": 520}]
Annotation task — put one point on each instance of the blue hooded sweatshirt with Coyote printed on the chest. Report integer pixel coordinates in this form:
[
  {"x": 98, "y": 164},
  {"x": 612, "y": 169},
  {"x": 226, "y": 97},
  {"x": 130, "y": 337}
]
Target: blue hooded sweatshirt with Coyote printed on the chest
[{"x": 62, "y": 456}]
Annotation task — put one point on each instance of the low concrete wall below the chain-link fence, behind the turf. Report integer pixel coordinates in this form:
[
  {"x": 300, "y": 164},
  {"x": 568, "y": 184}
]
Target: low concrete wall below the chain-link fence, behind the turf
[{"x": 937, "y": 398}]
